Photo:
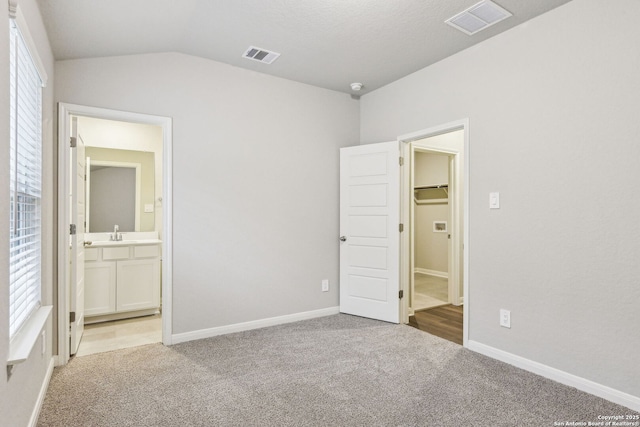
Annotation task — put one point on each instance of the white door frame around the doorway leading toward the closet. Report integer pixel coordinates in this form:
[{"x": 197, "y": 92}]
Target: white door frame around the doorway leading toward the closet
[{"x": 460, "y": 247}]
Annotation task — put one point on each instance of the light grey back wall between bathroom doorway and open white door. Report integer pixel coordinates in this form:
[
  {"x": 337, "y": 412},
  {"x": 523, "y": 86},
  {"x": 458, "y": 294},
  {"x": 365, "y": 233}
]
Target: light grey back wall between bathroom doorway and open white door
[{"x": 255, "y": 179}]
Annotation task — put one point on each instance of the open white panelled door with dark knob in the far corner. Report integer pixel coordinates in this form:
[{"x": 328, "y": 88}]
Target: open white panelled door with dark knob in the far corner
[{"x": 369, "y": 231}]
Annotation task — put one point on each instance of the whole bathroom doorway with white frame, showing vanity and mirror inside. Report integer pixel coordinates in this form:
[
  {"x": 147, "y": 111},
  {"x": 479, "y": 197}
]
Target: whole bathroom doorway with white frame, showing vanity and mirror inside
[{"x": 115, "y": 206}]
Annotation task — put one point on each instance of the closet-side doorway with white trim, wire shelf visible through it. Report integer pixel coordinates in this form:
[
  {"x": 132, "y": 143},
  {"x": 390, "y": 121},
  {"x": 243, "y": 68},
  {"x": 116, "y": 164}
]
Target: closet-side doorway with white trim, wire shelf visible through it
[{"x": 434, "y": 243}]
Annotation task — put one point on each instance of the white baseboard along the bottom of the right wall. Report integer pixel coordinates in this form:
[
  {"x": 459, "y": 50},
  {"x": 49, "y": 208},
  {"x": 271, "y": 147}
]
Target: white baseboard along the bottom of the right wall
[{"x": 588, "y": 386}]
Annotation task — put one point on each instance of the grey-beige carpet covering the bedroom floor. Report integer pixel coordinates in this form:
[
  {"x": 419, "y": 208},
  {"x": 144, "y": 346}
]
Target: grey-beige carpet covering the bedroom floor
[{"x": 333, "y": 371}]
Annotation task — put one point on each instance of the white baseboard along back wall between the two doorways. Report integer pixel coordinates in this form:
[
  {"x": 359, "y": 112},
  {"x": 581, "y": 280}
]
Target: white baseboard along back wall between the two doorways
[{"x": 255, "y": 324}]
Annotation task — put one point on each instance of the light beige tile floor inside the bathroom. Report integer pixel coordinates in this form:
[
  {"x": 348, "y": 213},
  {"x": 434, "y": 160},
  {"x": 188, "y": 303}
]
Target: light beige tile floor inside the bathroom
[{"x": 117, "y": 334}]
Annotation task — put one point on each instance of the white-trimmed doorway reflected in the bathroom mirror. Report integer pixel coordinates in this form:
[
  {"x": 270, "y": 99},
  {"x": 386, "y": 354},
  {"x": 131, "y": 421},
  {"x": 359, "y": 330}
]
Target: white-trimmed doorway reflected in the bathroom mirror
[{"x": 113, "y": 196}]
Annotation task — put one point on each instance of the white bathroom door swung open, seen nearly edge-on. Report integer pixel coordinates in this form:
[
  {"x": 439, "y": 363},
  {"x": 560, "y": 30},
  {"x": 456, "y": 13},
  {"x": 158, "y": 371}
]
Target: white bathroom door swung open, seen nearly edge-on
[{"x": 76, "y": 303}]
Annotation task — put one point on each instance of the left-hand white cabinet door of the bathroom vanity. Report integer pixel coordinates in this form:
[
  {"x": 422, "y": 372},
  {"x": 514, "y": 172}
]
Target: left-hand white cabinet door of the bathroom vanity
[{"x": 100, "y": 288}]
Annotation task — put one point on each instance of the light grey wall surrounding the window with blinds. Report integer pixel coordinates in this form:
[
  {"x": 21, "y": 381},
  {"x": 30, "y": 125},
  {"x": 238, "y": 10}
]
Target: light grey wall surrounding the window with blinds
[{"x": 19, "y": 393}]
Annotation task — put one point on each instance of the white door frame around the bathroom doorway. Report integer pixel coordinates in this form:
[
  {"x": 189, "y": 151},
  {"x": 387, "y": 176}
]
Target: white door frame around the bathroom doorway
[{"x": 65, "y": 111}]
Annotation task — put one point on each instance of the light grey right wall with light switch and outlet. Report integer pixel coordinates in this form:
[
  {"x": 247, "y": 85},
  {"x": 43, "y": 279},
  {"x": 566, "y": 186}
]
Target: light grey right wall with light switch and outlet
[{"x": 553, "y": 109}]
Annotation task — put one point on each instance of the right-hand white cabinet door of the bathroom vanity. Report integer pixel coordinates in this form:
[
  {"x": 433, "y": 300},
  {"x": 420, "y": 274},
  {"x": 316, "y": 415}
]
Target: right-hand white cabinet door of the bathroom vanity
[{"x": 138, "y": 284}]
